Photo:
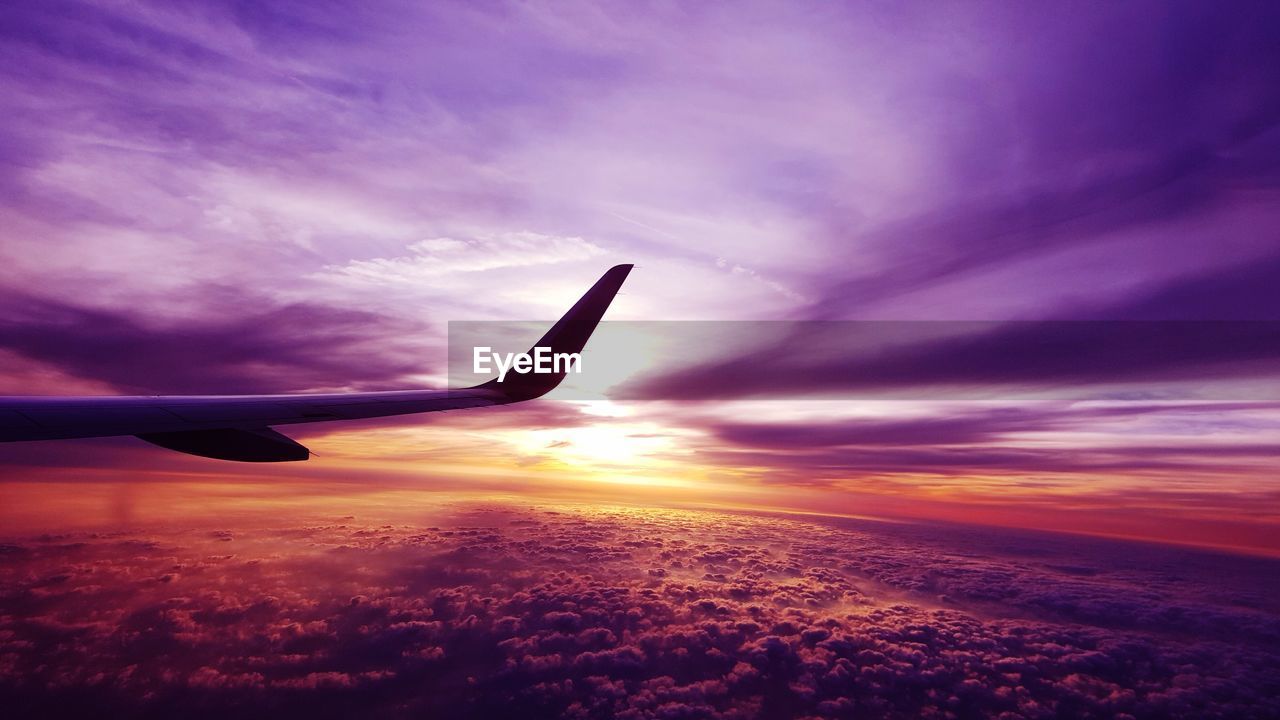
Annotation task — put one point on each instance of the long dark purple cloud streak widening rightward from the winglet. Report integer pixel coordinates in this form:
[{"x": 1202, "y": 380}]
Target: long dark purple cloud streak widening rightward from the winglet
[{"x": 1195, "y": 329}]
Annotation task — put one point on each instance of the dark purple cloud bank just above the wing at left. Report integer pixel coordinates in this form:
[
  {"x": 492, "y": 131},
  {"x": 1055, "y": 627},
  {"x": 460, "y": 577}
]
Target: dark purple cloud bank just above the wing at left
[{"x": 254, "y": 345}]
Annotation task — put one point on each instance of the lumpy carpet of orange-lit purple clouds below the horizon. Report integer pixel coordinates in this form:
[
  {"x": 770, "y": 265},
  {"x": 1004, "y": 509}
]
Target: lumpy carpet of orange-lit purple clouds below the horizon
[{"x": 554, "y": 613}]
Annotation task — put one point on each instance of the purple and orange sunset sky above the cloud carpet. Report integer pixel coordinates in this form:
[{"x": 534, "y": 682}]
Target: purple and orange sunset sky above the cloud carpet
[{"x": 239, "y": 198}]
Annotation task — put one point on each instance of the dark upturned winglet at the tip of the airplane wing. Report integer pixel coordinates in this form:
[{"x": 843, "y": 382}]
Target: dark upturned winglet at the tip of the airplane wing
[{"x": 569, "y": 335}]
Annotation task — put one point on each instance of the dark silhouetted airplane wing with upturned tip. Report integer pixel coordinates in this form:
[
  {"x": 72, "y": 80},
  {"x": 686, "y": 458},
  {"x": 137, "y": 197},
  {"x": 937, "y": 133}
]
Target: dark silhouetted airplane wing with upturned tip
[{"x": 240, "y": 427}]
